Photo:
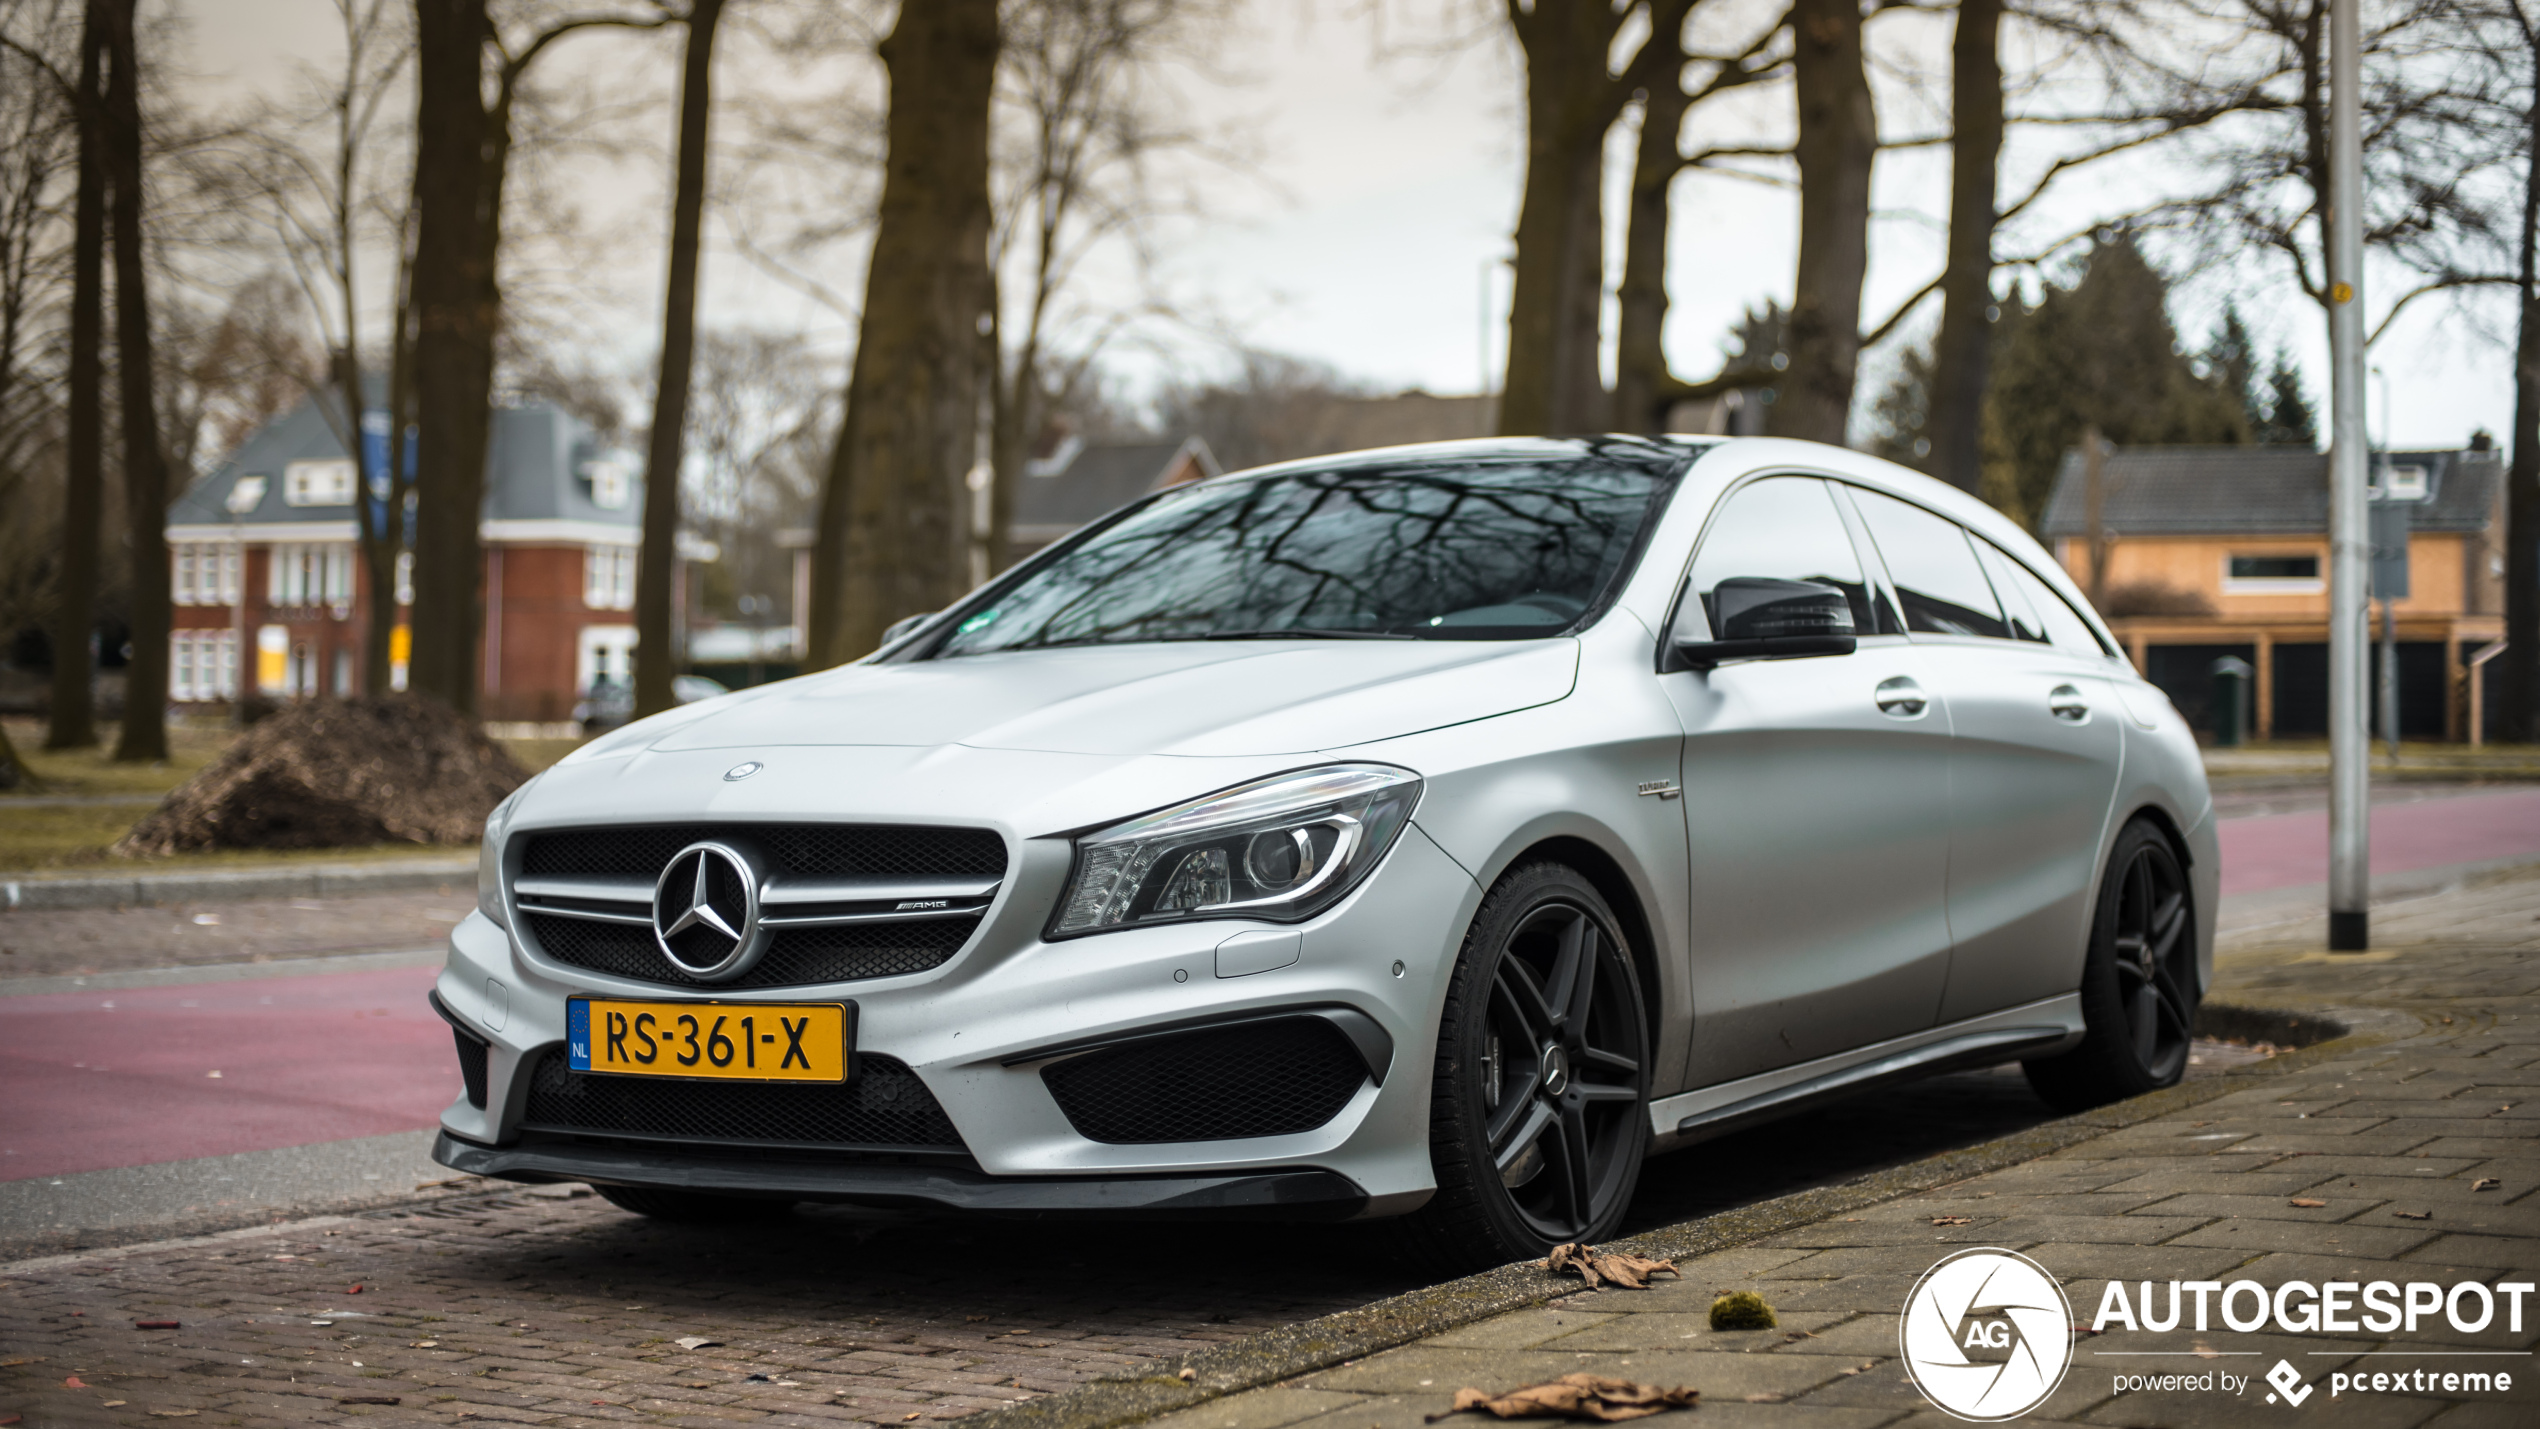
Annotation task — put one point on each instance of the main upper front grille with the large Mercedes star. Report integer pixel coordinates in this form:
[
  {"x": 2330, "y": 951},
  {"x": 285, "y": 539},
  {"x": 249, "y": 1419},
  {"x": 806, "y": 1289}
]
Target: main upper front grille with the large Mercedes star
[{"x": 796, "y": 958}]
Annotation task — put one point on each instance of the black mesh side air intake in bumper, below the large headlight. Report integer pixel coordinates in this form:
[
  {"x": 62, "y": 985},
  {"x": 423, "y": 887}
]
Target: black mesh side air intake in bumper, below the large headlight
[{"x": 1256, "y": 1080}]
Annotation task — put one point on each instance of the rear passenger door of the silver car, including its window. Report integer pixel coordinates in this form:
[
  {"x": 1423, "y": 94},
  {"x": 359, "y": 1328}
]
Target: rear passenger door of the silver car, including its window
[{"x": 2036, "y": 747}]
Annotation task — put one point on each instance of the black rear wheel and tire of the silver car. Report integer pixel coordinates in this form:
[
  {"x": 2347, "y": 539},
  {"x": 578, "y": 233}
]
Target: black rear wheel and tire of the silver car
[{"x": 2137, "y": 986}]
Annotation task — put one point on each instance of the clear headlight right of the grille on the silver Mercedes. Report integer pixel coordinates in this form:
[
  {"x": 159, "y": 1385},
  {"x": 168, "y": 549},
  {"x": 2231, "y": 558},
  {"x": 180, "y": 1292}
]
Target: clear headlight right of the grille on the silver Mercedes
[{"x": 1279, "y": 849}]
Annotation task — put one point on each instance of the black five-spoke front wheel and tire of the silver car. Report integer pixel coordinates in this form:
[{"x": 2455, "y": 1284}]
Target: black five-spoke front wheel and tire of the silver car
[{"x": 1541, "y": 1103}]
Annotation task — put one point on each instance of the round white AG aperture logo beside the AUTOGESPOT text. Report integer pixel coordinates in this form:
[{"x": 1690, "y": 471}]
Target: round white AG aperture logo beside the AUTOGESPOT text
[{"x": 1988, "y": 1334}]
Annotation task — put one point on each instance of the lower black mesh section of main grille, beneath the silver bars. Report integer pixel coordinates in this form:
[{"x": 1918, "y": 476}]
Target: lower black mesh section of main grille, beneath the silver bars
[{"x": 796, "y": 958}]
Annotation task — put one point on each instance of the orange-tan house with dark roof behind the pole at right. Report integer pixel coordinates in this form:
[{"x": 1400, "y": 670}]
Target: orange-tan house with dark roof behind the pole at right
[{"x": 2226, "y": 550}]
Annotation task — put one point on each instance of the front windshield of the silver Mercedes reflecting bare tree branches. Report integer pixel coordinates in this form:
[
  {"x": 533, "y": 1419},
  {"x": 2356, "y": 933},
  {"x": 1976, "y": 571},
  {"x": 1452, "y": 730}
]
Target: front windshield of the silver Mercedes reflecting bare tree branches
[{"x": 1477, "y": 550}]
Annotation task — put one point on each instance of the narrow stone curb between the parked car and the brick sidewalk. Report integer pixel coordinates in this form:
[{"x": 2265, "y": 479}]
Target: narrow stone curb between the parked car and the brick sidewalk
[{"x": 1403, "y": 1319}]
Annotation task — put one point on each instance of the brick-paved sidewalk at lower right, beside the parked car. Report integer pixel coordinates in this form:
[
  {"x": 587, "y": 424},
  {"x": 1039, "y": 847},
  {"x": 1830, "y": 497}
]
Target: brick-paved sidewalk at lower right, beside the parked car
[{"x": 2391, "y": 1143}]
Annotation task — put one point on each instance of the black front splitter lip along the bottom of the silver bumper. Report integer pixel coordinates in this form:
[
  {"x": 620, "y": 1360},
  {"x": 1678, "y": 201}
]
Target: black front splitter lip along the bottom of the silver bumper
[{"x": 1299, "y": 1194}]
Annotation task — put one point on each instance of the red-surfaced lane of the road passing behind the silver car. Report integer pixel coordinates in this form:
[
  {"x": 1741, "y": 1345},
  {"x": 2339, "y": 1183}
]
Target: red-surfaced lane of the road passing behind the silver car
[{"x": 108, "y": 1080}]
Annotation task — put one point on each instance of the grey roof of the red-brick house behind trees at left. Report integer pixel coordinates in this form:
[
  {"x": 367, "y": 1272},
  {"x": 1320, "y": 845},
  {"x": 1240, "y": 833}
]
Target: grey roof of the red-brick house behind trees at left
[{"x": 540, "y": 466}]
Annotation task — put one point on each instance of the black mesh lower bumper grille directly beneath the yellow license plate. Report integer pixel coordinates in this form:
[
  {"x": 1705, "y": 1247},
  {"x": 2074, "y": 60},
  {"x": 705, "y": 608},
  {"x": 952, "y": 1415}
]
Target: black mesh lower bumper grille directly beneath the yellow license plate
[{"x": 885, "y": 1108}]
